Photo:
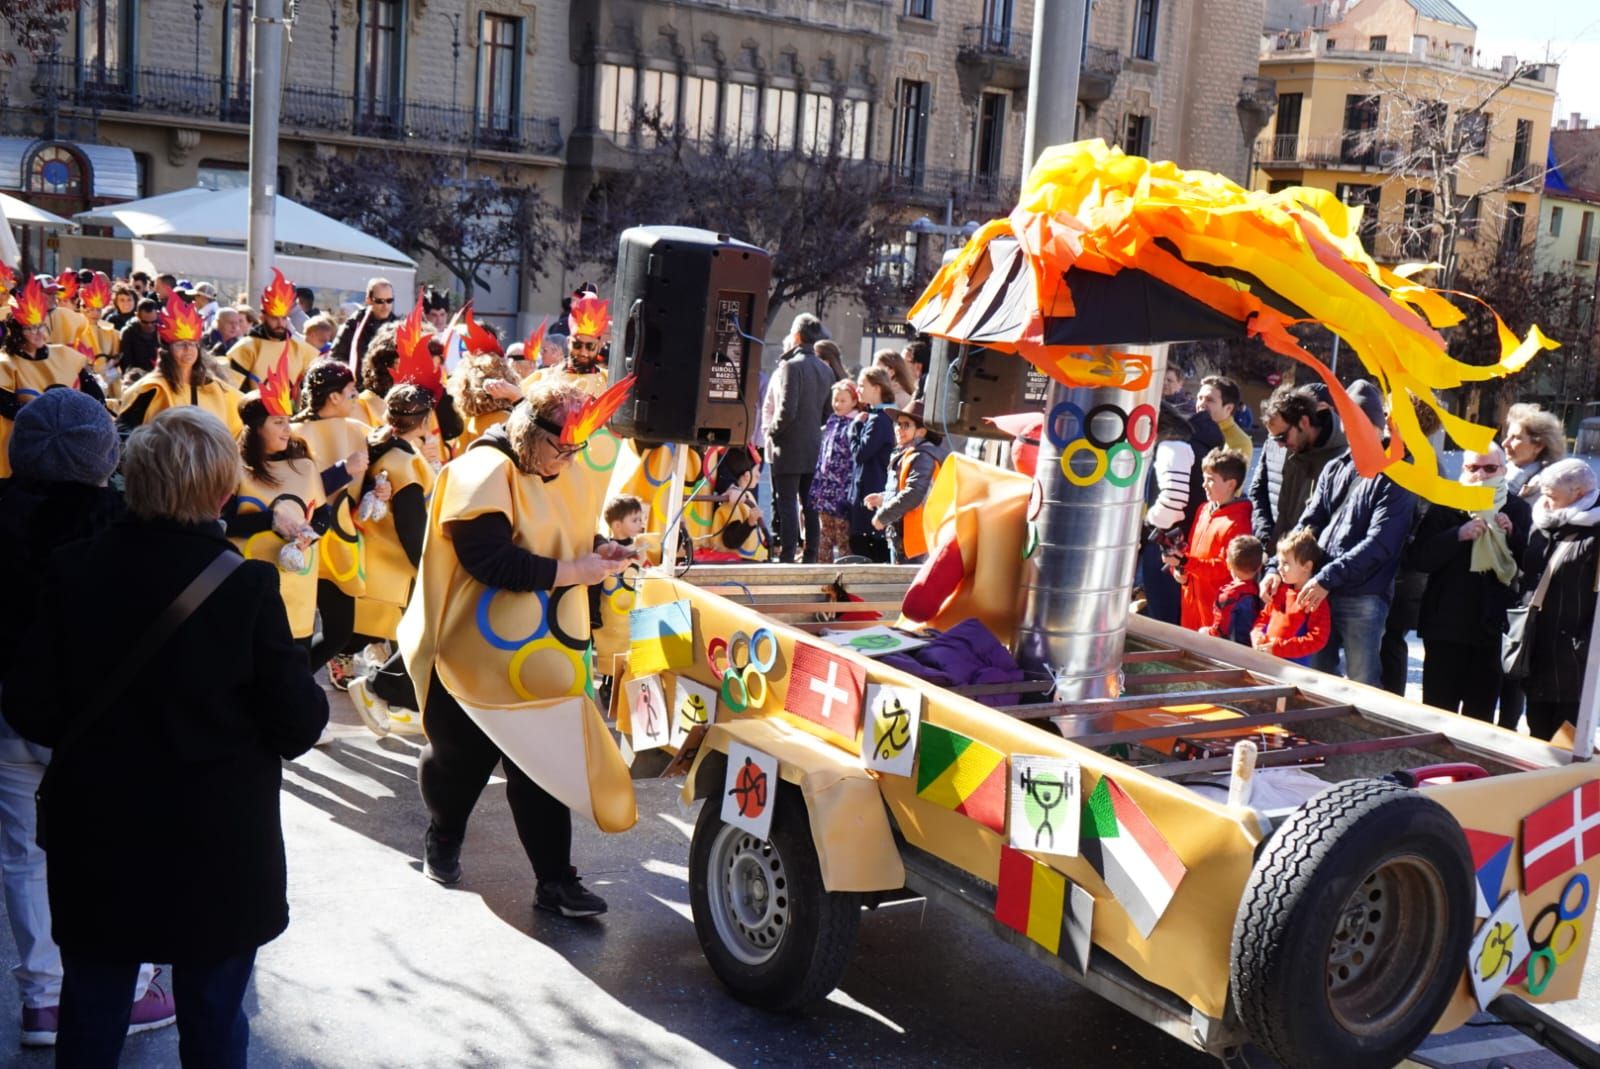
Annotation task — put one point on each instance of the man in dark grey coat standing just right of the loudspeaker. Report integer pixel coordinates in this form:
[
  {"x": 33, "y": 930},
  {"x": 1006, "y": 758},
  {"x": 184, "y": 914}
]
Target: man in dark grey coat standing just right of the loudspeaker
[{"x": 801, "y": 404}]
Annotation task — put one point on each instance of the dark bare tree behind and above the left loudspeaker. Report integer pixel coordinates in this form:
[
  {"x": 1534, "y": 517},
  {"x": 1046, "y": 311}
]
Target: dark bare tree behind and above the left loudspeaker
[{"x": 817, "y": 214}]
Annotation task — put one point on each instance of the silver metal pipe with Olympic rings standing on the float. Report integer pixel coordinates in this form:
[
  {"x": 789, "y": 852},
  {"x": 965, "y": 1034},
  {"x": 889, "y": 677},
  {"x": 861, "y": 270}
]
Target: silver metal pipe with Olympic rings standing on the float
[{"x": 1076, "y": 601}]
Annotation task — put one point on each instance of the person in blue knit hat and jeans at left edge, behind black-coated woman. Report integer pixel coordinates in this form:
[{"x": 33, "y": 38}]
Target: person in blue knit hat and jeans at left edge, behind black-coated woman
[{"x": 63, "y": 452}]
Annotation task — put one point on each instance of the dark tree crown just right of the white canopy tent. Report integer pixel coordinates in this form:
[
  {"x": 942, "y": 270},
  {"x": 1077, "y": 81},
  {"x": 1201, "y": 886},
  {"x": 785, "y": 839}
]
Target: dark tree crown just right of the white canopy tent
[{"x": 422, "y": 204}]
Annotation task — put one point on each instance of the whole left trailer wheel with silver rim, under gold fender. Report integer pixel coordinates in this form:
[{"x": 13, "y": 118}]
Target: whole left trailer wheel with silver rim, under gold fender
[{"x": 775, "y": 937}]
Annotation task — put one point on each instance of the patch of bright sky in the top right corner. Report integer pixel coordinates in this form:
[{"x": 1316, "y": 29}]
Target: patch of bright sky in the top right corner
[{"x": 1567, "y": 31}]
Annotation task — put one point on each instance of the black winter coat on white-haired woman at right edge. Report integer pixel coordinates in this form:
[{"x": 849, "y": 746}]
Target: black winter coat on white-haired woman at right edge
[{"x": 1561, "y": 636}]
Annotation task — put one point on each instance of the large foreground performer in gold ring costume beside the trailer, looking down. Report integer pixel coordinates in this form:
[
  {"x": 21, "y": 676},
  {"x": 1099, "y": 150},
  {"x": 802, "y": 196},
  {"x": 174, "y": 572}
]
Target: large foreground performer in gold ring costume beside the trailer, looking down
[{"x": 497, "y": 643}]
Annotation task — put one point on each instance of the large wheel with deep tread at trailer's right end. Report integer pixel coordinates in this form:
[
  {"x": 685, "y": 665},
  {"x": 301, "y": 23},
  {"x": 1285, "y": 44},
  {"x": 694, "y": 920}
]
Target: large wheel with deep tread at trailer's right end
[{"x": 1410, "y": 929}]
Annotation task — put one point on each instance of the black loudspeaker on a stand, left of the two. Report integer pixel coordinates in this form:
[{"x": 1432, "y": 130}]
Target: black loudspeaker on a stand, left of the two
[{"x": 687, "y": 319}]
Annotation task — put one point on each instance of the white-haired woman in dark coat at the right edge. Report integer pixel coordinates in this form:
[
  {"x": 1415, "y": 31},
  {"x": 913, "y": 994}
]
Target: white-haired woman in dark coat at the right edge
[{"x": 1567, "y": 543}]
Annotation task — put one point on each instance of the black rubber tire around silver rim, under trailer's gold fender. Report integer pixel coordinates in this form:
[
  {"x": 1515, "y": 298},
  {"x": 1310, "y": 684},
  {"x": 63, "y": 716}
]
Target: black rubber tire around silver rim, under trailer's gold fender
[{"x": 820, "y": 937}]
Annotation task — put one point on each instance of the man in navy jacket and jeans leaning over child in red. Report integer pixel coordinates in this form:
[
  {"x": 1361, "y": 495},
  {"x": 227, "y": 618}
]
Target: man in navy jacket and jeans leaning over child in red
[{"x": 1362, "y": 526}]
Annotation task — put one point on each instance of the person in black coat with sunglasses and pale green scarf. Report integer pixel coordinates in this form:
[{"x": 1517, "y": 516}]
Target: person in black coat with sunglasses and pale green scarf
[{"x": 1463, "y": 614}]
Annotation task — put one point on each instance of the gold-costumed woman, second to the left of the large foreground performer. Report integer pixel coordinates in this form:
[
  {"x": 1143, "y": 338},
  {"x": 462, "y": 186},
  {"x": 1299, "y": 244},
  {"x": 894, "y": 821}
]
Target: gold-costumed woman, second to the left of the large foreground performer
[{"x": 338, "y": 444}]
